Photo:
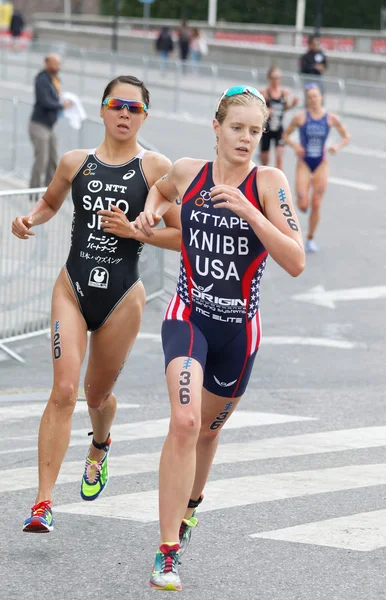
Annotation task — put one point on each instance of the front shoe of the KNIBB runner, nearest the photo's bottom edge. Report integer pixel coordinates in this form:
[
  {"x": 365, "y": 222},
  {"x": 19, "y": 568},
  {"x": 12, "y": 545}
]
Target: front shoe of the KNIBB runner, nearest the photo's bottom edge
[{"x": 165, "y": 571}]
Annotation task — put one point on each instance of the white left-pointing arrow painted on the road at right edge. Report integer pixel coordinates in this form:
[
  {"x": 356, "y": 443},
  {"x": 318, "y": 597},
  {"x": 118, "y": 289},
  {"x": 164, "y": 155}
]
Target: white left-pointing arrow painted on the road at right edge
[{"x": 328, "y": 298}]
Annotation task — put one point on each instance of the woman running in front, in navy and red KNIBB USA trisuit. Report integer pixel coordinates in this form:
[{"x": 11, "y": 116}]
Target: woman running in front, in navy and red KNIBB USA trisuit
[{"x": 233, "y": 215}]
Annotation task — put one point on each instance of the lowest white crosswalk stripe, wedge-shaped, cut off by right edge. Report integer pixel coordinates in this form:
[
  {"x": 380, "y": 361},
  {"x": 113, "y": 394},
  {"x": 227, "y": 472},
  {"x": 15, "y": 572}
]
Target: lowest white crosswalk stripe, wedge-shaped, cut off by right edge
[{"x": 362, "y": 532}]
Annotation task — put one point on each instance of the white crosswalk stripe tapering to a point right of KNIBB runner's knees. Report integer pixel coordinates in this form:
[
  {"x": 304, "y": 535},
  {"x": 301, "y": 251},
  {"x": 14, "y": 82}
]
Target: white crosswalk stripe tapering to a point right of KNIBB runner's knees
[{"x": 142, "y": 430}]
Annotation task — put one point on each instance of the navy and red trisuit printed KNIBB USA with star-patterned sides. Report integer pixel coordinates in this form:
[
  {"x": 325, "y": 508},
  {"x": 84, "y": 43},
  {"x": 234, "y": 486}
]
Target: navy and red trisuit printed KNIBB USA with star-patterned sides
[{"x": 214, "y": 315}]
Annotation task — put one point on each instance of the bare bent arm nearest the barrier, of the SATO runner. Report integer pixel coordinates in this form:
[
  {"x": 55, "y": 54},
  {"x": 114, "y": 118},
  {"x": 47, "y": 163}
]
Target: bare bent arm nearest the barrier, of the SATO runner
[{"x": 53, "y": 197}]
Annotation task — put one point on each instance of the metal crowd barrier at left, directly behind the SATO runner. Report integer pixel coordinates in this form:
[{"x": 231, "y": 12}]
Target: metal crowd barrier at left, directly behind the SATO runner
[{"x": 28, "y": 268}]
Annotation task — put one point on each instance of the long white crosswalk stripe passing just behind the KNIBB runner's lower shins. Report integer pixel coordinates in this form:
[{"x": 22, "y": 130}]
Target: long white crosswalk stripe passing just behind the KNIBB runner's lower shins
[{"x": 240, "y": 491}]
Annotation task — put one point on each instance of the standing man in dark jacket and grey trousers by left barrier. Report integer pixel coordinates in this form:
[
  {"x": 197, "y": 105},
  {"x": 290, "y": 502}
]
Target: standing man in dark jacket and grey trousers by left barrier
[{"x": 44, "y": 116}]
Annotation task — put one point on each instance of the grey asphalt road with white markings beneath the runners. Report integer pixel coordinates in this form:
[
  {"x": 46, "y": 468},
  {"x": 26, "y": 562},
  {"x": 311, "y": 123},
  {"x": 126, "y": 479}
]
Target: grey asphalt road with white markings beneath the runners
[{"x": 302, "y": 468}]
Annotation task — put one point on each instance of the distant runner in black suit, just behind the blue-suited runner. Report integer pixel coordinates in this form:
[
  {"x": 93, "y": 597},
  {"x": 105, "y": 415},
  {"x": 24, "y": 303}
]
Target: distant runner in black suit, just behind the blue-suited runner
[{"x": 278, "y": 101}]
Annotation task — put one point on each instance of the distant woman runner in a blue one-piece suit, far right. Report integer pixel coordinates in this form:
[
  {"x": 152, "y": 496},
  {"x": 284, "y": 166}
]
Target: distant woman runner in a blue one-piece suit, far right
[{"x": 314, "y": 125}]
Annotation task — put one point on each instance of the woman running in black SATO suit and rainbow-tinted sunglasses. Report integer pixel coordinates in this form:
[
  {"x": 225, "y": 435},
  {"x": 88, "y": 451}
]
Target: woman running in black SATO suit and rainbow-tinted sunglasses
[{"x": 99, "y": 289}]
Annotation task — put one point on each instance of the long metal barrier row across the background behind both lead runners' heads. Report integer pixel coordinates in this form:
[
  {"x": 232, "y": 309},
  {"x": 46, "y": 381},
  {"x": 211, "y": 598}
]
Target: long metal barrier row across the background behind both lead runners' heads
[{"x": 185, "y": 88}]
